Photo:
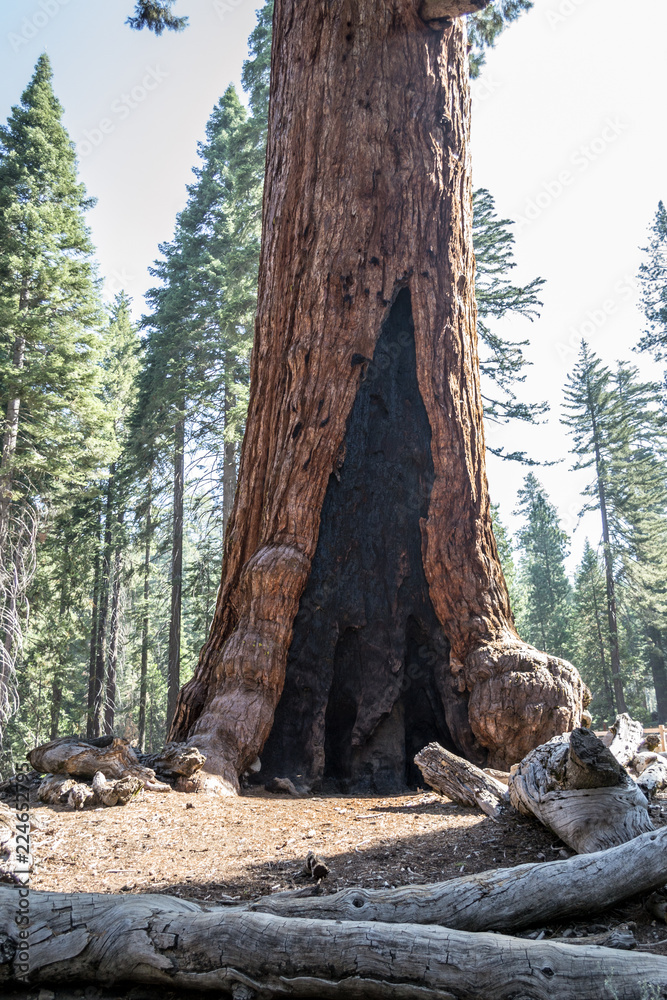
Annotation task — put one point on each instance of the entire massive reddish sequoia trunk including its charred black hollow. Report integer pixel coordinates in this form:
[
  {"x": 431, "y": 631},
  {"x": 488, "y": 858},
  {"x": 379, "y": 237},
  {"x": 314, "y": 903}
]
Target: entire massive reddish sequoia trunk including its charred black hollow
[{"x": 360, "y": 551}]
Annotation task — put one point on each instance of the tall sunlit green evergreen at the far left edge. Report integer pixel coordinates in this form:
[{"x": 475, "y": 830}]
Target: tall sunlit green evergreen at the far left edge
[{"x": 55, "y": 432}]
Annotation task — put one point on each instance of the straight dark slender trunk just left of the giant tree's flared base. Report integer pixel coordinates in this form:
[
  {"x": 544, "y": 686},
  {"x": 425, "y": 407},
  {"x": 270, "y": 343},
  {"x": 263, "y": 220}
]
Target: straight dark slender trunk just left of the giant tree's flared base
[{"x": 174, "y": 667}]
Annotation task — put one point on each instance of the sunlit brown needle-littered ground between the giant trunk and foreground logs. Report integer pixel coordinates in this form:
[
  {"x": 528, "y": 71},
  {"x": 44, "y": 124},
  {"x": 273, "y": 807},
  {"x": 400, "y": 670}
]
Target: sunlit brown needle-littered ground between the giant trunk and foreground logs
[{"x": 204, "y": 848}]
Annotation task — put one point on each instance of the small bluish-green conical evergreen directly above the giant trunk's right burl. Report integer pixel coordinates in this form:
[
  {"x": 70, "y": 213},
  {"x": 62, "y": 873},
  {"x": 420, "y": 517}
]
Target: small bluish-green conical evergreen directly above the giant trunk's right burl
[{"x": 547, "y": 611}]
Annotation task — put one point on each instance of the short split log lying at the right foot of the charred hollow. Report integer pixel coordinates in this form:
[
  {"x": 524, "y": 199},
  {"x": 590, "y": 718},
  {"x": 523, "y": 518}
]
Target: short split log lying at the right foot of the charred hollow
[{"x": 460, "y": 780}]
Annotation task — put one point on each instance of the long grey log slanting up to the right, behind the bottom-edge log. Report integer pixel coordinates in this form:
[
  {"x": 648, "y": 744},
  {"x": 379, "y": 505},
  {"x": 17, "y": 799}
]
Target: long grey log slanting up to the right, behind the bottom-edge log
[{"x": 506, "y": 899}]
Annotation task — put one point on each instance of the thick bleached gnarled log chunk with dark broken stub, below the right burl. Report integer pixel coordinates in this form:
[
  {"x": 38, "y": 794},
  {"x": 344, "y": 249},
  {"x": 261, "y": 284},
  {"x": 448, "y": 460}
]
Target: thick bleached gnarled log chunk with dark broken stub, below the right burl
[{"x": 575, "y": 786}]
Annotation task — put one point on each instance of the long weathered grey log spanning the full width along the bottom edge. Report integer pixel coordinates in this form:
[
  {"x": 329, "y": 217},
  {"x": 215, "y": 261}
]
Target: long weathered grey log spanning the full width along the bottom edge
[{"x": 173, "y": 943}]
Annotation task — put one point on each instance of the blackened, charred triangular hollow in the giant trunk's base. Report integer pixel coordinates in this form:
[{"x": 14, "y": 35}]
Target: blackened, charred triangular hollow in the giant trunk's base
[{"x": 367, "y": 678}]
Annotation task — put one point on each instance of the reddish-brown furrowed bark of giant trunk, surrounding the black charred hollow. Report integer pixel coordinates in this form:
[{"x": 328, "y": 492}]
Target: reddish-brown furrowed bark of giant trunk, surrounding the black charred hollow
[{"x": 367, "y": 192}]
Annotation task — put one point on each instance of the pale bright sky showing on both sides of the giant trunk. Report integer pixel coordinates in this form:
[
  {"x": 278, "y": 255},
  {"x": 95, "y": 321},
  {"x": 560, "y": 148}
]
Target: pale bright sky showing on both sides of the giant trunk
[{"x": 568, "y": 135}]
